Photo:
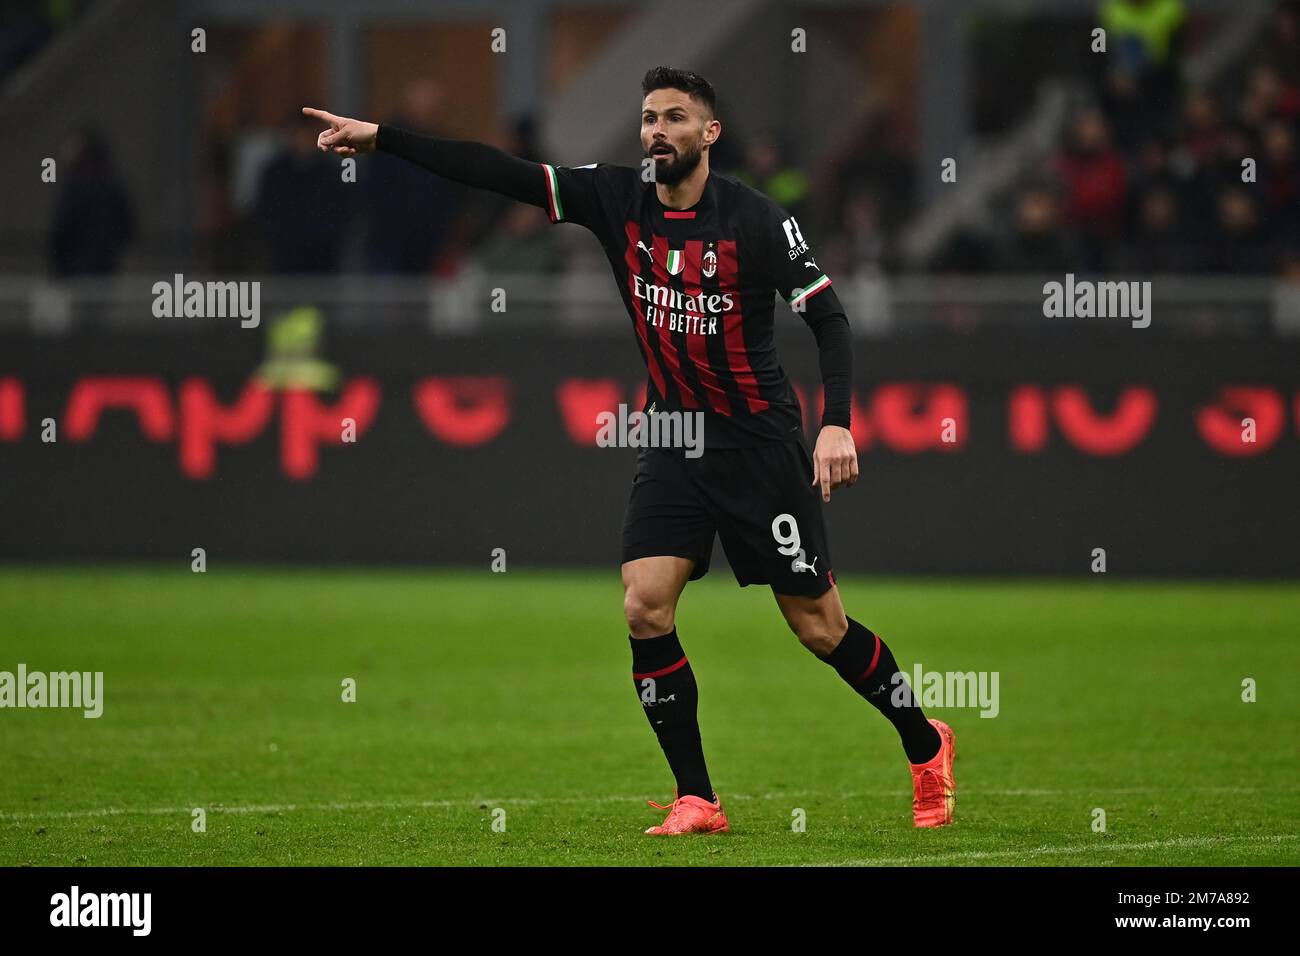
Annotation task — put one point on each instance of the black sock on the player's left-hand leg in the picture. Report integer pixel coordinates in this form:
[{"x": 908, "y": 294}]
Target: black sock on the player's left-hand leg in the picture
[{"x": 669, "y": 695}]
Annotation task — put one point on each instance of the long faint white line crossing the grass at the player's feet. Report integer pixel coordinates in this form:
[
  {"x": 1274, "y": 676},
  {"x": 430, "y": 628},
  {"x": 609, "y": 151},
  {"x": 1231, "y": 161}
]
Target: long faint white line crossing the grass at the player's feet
[{"x": 471, "y": 803}]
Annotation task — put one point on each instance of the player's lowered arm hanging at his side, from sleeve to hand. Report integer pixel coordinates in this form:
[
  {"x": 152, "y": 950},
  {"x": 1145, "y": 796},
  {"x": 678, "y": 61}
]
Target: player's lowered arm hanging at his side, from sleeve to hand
[{"x": 808, "y": 289}]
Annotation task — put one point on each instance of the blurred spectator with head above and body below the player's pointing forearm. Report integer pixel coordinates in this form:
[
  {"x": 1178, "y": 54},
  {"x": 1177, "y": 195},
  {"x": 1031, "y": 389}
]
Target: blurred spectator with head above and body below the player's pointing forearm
[{"x": 410, "y": 211}]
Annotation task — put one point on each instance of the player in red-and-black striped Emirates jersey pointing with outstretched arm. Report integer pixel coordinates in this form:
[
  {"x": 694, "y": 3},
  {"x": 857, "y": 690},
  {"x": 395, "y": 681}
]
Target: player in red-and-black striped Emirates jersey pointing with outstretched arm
[{"x": 697, "y": 257}]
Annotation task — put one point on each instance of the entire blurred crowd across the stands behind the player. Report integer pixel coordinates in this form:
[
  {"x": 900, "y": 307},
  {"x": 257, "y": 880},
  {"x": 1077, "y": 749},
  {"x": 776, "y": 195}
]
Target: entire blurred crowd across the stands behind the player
[{"x": 1150, "y": 179}]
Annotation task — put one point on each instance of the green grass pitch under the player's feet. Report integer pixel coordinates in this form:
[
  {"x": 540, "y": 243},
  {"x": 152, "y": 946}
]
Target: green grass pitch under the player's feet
[{"x": 480, "y": 693}]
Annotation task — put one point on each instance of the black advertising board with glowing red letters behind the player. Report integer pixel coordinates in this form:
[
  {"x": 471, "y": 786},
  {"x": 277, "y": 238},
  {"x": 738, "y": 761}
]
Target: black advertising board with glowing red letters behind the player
[{"x": 1173, "y": 504}]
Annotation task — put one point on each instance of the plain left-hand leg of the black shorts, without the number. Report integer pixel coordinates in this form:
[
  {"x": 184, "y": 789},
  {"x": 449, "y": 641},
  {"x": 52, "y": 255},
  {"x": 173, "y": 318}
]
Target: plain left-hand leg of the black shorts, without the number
[{"x": 668, "y": 516}]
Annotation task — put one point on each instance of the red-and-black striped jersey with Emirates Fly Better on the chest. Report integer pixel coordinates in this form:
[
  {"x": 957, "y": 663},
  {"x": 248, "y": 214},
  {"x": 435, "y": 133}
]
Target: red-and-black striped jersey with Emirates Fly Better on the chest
[{"x": 699, "y": 285}]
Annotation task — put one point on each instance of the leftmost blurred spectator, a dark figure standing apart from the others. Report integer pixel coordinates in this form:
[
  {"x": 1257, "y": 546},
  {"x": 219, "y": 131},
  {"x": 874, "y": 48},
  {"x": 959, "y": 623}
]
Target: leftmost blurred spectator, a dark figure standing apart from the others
[{"x": 94, "y": 220}]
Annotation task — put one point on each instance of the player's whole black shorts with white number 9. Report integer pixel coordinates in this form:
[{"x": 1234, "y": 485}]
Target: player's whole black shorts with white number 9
[{"x": 761, "y": 501}]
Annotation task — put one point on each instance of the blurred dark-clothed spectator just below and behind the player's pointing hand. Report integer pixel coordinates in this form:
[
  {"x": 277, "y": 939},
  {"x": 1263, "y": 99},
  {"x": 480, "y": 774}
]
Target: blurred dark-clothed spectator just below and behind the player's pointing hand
[{"x": 301, "y": 204}]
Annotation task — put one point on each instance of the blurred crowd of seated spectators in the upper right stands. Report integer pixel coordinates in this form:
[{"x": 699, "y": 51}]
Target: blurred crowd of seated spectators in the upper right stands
[{"x": 1156, "y": 178}]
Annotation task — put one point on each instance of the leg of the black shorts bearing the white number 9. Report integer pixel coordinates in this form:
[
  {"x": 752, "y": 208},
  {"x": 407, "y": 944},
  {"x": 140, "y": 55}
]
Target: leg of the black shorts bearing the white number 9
[{"x": 769, "y": 517}]
